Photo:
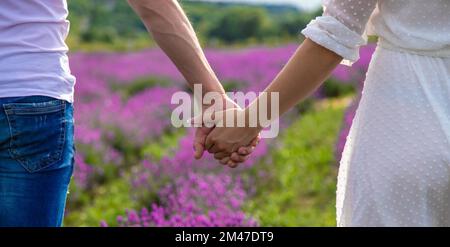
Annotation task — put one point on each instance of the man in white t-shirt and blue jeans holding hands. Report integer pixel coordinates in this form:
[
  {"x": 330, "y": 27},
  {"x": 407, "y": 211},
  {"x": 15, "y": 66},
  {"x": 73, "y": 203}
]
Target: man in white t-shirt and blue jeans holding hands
[{"x": 36, "y": 94}]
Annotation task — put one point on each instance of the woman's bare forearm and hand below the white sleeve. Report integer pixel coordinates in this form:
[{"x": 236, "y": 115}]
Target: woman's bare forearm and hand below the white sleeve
[{"x": 308, "y": 68}]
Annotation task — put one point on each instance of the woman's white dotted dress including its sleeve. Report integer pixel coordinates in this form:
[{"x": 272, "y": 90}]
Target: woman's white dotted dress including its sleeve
[{"x": 395, "y": 168}]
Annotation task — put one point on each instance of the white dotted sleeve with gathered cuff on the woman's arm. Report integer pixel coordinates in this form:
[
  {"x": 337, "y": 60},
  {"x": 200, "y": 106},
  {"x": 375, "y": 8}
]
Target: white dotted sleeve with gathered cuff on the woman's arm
[{"x": 341, "y": 27}]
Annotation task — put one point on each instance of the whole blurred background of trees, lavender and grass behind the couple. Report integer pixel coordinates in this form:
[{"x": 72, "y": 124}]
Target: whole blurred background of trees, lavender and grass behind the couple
[{"x": 134, "y": 169}]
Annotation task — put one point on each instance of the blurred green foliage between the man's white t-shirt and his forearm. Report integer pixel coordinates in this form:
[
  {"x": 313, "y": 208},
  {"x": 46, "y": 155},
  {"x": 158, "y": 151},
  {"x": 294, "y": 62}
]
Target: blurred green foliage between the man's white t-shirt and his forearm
[{"x": 105, "y": 24}]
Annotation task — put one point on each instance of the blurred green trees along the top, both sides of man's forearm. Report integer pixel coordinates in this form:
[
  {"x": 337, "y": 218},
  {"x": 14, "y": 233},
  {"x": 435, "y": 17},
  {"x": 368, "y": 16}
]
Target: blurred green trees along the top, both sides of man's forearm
[{"x": 112, "y": 24}]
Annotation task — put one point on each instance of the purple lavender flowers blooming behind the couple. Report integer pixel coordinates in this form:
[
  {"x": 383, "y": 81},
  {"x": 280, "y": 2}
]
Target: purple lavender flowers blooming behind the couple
[{"x": 189, "y": 192}]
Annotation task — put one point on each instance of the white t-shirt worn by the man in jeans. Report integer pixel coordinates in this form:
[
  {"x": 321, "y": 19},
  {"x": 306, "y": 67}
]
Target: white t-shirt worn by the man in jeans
[{"x": 33, "y": 53}]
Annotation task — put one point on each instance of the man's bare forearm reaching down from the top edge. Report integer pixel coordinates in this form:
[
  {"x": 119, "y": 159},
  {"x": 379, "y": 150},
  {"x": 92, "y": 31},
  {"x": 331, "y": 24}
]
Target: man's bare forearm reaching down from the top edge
[{"x": 173, "y": 32}]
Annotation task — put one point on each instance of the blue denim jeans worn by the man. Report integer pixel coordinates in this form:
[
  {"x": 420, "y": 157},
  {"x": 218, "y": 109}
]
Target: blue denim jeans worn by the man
[{"x": 36, "y": 160}]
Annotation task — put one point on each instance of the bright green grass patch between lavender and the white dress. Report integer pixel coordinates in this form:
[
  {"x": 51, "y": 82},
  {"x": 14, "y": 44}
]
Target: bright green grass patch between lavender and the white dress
[{"x": 301, "y": 183}]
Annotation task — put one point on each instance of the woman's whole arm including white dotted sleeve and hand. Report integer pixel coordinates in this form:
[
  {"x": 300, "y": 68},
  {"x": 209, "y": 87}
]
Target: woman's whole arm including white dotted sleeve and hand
[{"x": 334, "y": 36}]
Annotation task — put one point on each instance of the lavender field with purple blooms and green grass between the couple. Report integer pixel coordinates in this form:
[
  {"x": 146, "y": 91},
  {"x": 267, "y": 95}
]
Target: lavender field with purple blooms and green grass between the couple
[{"x": 134, "y": 169}]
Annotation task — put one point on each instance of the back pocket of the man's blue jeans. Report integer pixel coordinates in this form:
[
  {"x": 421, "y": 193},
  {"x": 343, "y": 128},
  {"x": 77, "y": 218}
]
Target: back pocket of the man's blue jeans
[{"x": 37, "y": 133}]
